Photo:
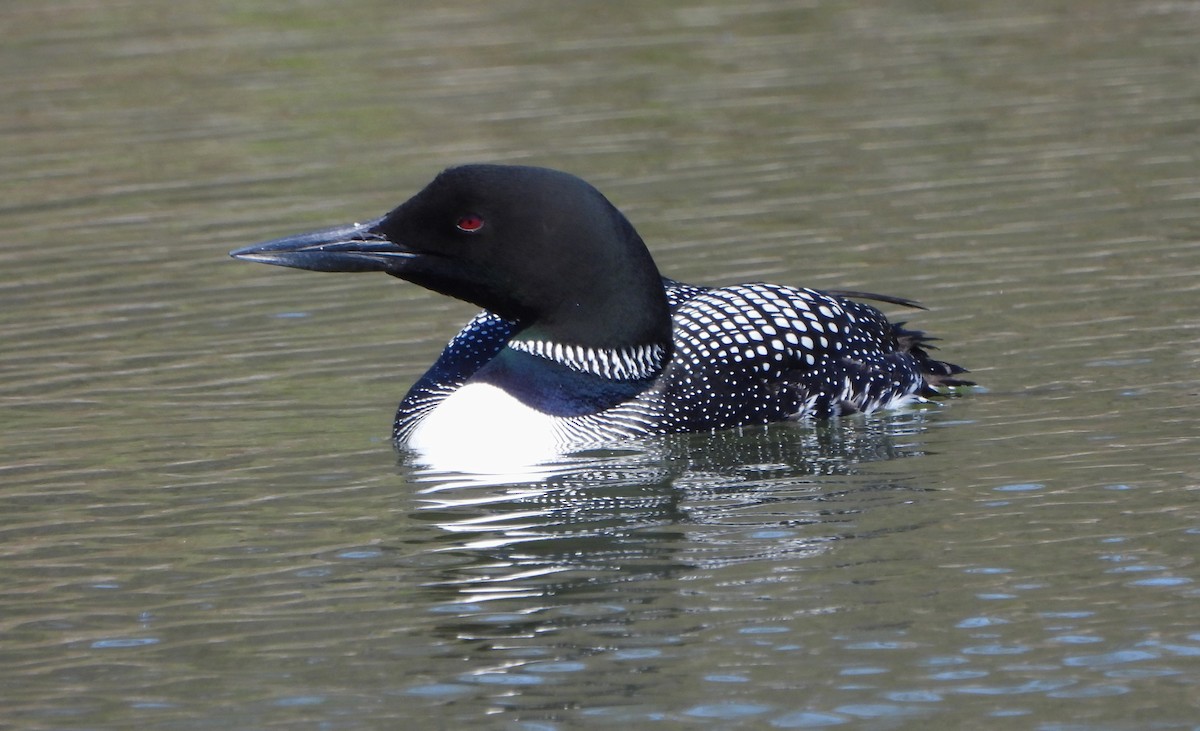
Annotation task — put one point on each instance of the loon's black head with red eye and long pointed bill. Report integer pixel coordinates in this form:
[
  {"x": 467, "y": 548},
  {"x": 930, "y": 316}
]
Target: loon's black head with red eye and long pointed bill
[{"x": 533, "y": 245}]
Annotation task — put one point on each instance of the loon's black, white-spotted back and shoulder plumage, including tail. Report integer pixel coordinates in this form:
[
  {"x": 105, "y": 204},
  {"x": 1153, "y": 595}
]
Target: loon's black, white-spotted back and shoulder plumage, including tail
[{"x": 742, "y": 355}]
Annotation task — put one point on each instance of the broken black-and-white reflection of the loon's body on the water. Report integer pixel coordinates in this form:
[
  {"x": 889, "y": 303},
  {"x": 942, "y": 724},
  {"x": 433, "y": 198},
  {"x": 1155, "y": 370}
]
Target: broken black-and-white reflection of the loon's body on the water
[{"x": 661, "y": 508}]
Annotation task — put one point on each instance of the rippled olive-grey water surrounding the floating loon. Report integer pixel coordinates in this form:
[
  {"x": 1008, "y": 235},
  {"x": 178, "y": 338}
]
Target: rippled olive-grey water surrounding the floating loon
[{"x": 207, "y": 528}]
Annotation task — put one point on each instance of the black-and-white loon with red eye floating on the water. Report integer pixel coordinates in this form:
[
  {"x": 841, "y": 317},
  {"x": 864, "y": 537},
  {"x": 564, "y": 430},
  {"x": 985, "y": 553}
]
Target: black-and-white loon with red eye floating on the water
[{"x": 583, "y": 343}]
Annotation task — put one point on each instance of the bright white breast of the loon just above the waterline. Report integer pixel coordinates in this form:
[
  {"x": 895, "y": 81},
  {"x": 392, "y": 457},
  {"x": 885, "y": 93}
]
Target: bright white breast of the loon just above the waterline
[{"x": 481, "y": 427}]
